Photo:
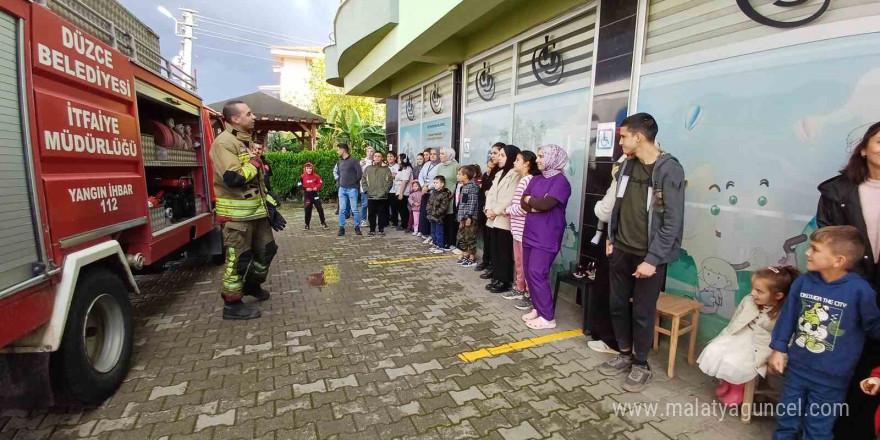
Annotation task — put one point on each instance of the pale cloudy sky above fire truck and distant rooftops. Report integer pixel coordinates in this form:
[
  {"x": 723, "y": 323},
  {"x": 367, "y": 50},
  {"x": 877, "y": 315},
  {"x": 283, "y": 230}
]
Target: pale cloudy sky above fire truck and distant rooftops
[{"x": 223, "y": 75}]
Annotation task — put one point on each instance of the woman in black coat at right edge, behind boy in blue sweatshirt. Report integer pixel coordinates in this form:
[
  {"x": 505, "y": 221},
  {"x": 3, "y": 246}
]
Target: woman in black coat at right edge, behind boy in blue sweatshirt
[{"x": 841, "y": 202}]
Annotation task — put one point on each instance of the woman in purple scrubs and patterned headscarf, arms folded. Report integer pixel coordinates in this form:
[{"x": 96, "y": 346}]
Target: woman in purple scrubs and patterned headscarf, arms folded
[{"x": 545, "y": 200}]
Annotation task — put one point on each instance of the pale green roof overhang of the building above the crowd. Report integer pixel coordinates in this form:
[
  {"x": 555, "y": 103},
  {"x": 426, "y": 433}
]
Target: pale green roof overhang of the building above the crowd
[{"x": 424, "y": 39}]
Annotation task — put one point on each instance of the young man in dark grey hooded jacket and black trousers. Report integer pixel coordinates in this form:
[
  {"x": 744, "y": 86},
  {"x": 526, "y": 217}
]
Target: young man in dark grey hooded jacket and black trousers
[{"x": 644, "y": 235}]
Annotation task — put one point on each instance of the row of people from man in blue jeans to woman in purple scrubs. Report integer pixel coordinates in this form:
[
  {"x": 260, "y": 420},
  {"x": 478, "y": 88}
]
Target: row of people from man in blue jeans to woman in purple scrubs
[{"x": 517, "y": 251}]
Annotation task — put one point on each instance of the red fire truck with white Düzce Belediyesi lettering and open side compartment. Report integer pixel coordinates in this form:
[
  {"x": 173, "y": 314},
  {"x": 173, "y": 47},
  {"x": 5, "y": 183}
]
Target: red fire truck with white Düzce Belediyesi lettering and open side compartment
[{"x": 103, "y": 169}]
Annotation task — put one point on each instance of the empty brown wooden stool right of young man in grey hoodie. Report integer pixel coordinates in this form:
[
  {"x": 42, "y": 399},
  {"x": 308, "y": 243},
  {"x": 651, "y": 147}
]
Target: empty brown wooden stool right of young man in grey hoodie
[{"x": 677, "y": 307}]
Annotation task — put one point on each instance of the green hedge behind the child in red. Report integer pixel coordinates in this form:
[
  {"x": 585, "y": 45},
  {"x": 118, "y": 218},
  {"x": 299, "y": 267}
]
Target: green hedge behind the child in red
[{"x": 287, "y": 169}]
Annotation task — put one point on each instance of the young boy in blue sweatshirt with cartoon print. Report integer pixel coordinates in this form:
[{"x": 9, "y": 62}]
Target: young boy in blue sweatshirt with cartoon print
[{"x": 828, "y": 312}]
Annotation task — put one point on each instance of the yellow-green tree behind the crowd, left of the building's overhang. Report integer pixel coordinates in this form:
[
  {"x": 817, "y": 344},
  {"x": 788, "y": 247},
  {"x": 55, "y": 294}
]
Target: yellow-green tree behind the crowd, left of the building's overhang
[{"x": 326, "y": 98}]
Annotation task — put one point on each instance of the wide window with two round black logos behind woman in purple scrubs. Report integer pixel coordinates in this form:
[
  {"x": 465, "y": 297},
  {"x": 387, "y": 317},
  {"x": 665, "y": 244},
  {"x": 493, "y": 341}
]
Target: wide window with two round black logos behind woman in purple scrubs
[{"x": 547, "y": 101}]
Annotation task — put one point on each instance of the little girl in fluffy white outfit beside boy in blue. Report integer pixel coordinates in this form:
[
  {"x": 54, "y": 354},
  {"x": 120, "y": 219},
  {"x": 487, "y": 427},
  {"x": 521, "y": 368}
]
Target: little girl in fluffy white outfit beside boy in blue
[{"x": 740, "y": 352}]
